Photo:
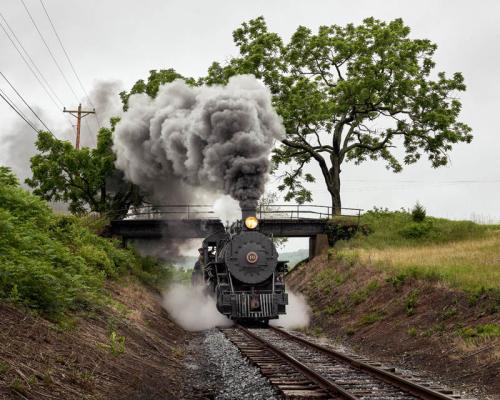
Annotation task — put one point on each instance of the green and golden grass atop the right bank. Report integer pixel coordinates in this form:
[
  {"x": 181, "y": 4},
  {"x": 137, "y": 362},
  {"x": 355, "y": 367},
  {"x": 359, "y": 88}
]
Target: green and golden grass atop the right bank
[{"x": 463, "y": 254}]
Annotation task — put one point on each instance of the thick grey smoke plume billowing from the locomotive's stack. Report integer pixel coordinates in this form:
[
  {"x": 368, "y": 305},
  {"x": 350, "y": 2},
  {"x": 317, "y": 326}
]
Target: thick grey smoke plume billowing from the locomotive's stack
[{"x": 218, "y": 138}]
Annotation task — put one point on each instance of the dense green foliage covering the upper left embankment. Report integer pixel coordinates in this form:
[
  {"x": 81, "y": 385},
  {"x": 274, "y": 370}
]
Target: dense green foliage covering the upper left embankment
[{"x": 55, "y": 264}]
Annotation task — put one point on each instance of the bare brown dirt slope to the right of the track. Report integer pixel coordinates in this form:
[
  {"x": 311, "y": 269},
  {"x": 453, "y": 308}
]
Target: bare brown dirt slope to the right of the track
[{"x": 416, "y": 323}]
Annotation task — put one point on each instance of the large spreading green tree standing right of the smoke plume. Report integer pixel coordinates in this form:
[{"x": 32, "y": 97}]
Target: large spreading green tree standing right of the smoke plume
[{"x": 350, "y": 93}]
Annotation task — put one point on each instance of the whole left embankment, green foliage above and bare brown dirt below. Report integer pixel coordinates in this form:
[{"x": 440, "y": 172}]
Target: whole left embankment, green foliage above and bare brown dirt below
[{"x": 76, "y": 320}]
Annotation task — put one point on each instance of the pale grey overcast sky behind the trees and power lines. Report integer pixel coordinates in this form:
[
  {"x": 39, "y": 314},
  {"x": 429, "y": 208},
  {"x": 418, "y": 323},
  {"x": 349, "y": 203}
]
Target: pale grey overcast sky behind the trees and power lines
[{"x": 123, "y": 39}]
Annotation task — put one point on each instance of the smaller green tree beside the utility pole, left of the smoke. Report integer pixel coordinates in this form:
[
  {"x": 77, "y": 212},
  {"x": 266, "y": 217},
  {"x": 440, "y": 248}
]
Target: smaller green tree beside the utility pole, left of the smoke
[{"x": 86, "y": 179}]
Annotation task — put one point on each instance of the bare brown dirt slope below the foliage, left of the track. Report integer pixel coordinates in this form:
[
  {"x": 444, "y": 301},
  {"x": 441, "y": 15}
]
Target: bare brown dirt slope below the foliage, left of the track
[{"x": 130, "y": 351}]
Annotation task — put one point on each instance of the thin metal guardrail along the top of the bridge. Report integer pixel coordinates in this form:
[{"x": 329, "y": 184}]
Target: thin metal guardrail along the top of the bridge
[{"x": 267, "y": 211}]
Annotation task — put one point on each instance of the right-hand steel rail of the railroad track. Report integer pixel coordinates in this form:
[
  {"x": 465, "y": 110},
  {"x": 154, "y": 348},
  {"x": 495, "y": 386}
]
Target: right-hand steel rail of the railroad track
[{"x": 405, "y": 385}]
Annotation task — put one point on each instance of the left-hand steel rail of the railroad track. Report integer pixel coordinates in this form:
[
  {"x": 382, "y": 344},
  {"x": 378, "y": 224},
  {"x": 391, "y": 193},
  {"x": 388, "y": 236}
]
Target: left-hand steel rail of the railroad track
[{"x": 322, "y": 382}]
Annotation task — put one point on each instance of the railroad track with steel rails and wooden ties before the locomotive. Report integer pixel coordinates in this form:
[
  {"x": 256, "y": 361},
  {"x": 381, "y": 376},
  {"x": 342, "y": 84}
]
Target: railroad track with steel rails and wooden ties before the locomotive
[{"x": 301, "y": 369}]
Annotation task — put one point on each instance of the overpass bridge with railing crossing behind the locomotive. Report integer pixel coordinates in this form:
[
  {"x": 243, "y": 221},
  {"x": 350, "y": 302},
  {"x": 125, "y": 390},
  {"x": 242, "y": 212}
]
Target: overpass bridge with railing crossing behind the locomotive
[{"x": 198, "y": 221}]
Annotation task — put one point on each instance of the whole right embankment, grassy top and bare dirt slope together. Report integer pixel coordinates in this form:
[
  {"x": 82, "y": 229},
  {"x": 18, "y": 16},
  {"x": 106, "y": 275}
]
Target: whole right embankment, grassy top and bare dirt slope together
[{"x": 426, "y": 293}]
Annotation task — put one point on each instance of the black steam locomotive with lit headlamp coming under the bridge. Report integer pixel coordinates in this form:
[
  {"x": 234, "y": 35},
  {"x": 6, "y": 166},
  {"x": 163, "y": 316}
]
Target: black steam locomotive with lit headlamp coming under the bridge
[{"x": 240, "y": 266}]
